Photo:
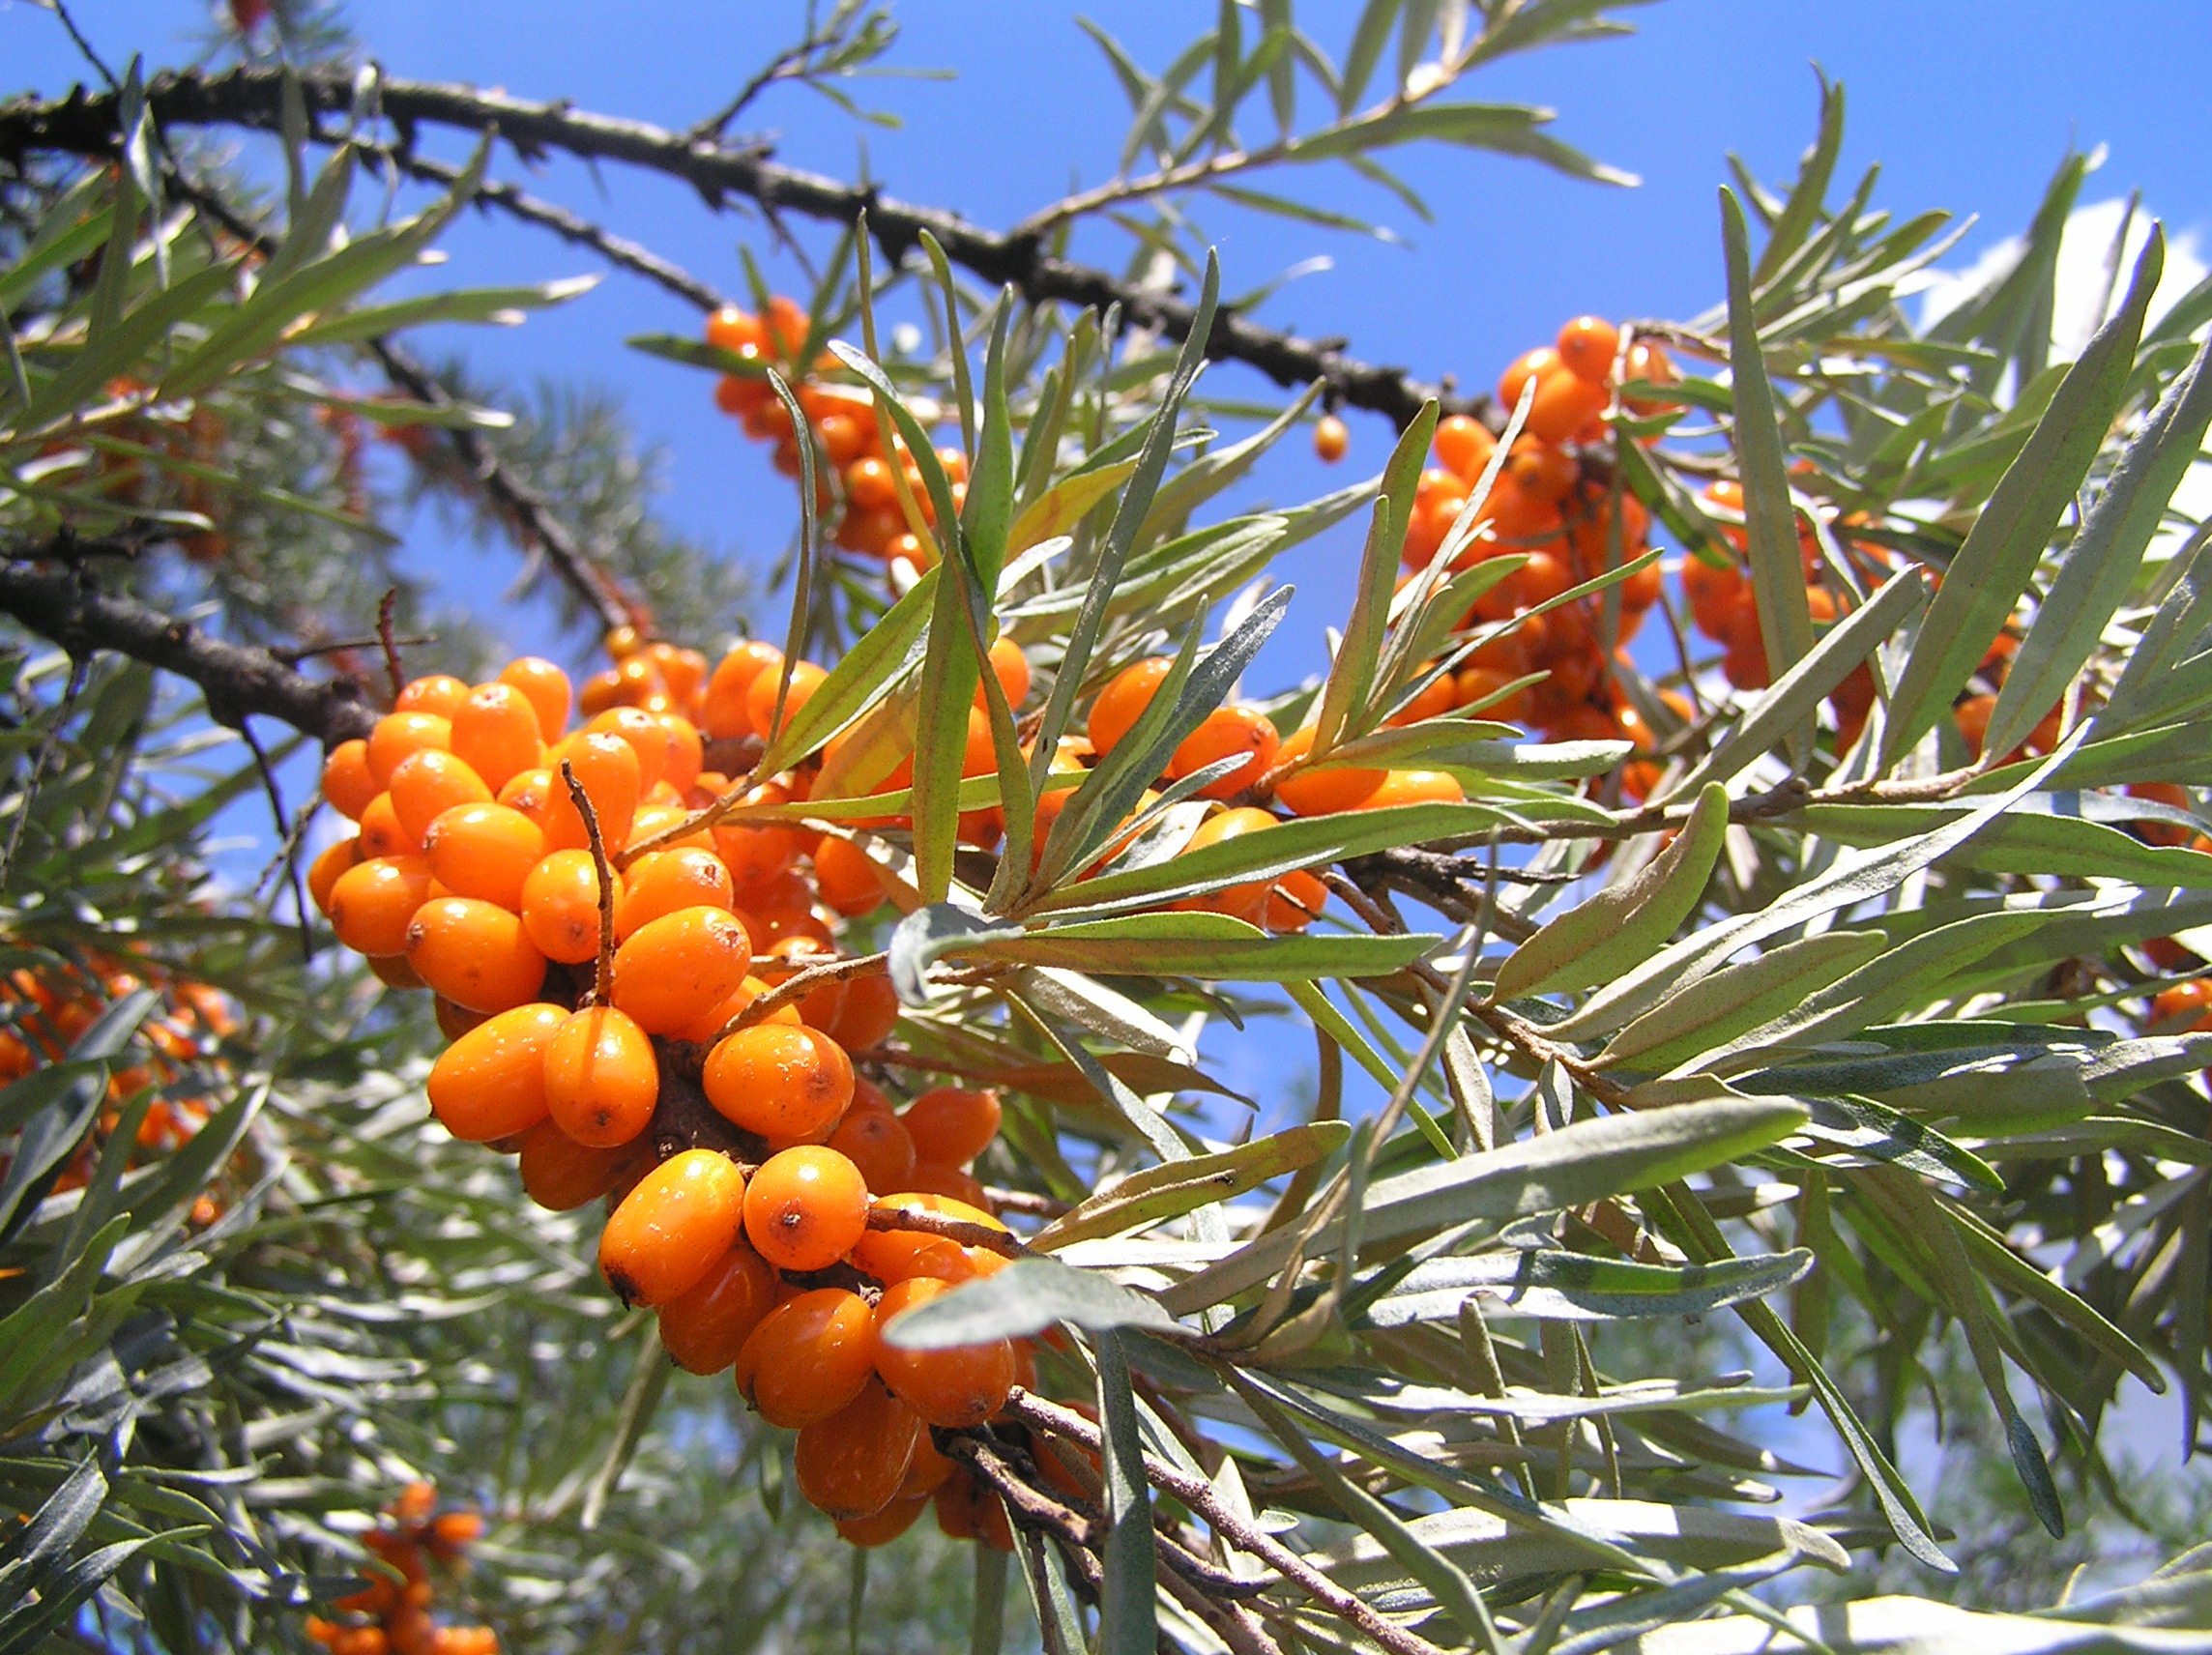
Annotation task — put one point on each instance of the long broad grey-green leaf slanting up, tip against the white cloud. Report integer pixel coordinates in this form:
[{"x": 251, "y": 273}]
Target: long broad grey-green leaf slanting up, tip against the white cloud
[{"x": 2007, "y": 541}]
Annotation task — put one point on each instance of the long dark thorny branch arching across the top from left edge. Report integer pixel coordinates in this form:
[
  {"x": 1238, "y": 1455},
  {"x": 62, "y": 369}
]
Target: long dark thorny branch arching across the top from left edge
[{"x": 85, "y": 123}]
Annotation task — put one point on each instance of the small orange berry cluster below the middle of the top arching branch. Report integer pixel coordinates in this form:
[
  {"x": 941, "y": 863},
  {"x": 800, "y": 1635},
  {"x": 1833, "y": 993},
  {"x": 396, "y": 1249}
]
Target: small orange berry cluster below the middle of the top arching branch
[{"x": 857, "y": 479}]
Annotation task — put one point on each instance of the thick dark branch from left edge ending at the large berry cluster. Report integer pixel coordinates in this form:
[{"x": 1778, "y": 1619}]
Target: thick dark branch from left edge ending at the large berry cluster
[{"x": 236, "y": 680}]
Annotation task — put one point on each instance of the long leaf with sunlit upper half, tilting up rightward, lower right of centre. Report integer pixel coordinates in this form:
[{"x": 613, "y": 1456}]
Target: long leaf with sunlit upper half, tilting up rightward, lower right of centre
[{"x": 1583, "y": 1163}]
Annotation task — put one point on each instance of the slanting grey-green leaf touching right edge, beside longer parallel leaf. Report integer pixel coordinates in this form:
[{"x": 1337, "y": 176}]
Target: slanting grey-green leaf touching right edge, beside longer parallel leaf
[{"x": 2103, "y": 561}]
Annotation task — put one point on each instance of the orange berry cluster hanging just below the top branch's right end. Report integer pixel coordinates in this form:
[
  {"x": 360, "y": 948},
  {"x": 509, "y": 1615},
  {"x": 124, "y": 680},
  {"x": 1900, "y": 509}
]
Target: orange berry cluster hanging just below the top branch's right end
[{"x": 1558, "y": 508}]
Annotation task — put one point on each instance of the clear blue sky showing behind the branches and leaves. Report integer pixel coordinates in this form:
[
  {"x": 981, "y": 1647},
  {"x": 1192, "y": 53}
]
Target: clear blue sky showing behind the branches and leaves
[{"x": 1965, "y": 103}]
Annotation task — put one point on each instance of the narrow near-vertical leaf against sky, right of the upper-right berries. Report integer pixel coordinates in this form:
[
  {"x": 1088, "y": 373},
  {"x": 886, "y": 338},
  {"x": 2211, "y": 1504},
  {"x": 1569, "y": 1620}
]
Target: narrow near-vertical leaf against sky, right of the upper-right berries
[{"x": 1768, "y": 517}]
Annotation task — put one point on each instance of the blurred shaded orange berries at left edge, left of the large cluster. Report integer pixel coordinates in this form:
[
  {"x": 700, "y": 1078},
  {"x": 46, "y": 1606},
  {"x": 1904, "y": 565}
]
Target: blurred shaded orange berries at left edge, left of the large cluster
[{"x": 45, "y": 1010}]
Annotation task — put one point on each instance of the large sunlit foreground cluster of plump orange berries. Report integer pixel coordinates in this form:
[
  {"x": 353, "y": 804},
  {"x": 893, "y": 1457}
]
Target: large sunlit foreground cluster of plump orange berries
[{"x": 764, "y": 1198}]
